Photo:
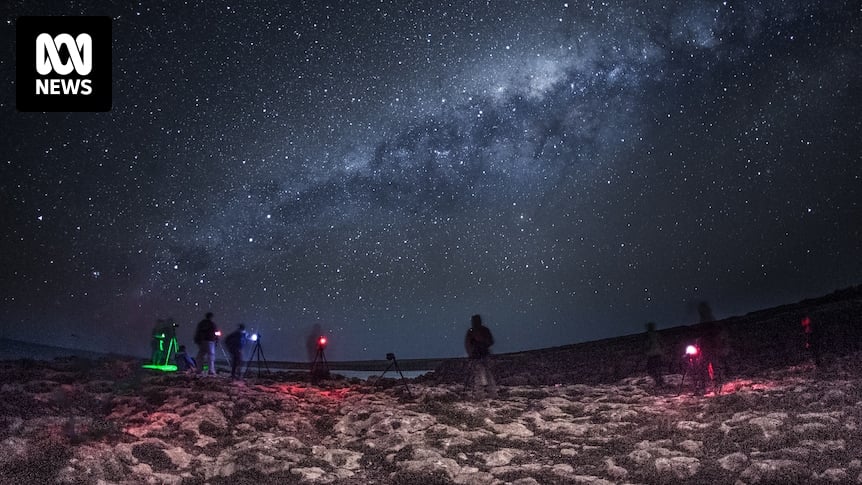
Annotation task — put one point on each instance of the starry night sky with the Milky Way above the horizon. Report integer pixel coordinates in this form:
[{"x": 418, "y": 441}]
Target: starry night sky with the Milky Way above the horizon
[{"x": 569, "y": 170}]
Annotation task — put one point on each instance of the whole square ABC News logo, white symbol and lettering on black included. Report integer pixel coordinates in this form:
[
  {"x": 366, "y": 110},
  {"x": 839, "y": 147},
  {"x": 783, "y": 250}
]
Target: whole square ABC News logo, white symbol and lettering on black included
[{"x": 64, "y": 63}]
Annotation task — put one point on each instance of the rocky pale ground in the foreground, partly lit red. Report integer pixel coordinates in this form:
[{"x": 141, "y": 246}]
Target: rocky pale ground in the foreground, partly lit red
[{"x": 84, "y": 421}]
